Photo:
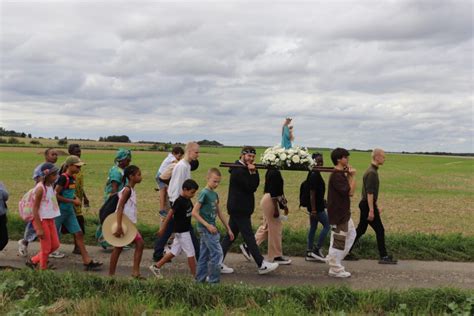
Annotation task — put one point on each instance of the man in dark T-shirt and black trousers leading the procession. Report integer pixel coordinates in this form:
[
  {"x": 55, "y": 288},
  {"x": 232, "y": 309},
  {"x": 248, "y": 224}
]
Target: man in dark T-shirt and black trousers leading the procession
[{"x": 369, "y": 210}]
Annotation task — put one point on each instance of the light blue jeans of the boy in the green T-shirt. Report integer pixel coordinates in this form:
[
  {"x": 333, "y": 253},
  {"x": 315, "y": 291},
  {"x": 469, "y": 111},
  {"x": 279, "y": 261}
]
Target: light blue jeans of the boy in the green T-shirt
[{"x": 210, "y": 257}]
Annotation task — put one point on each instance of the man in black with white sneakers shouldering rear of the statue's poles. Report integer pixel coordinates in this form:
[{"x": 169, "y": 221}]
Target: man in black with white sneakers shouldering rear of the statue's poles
[{"x": 240, "y": 205}]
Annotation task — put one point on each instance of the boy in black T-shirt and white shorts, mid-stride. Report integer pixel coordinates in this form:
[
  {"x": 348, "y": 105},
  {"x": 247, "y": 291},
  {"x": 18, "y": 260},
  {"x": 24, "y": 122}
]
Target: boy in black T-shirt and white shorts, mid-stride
[{"x": 181, "y": 210}]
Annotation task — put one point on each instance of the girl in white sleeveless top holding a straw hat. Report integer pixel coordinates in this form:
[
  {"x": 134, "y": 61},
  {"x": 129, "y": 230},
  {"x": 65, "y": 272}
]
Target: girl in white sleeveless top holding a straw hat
[{"x": 127, "y": 206}]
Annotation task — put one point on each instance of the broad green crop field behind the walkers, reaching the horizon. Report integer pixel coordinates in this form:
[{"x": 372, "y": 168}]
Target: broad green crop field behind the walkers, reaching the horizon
[{"x": 428, "y": 194}]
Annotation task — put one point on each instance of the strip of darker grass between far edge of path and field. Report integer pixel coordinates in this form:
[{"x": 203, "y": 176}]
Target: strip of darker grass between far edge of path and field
[{"x": 419, "y": 246}]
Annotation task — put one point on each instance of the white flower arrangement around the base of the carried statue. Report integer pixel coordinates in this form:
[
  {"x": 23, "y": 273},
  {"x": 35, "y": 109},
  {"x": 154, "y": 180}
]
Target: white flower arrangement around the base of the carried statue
[{"x": 293, "y": 158}]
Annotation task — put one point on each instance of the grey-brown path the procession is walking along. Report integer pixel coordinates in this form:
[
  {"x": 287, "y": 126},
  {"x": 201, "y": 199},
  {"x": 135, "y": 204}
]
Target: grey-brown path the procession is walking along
[{"x": 366, "y": 274}]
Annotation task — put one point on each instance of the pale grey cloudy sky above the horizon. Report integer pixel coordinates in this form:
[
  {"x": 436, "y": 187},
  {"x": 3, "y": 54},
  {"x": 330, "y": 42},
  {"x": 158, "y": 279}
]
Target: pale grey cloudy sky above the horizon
[{"x": 357, "y": 74}]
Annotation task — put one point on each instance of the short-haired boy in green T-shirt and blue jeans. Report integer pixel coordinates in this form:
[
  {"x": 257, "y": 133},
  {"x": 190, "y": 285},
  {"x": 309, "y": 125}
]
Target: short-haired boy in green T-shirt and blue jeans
[{"x": 205, "y": 212}]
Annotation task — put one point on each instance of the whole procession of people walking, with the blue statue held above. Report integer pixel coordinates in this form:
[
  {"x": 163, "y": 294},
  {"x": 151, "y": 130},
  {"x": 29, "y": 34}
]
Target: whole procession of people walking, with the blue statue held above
[{"x": 59, "y": 197}]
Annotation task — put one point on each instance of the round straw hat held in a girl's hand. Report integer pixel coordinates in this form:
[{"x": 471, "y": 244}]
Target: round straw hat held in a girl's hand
[{"x": 109, "y": 227}]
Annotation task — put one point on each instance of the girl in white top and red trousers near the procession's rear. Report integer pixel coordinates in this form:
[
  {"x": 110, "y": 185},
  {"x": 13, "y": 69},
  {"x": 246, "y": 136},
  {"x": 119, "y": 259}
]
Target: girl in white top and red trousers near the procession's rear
[{"x": 45, "y": 210}]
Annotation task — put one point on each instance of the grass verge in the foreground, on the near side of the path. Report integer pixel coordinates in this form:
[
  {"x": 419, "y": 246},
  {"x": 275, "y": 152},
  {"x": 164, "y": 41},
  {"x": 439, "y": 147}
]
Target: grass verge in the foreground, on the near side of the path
[{"x": 28, "y": 292}]
